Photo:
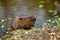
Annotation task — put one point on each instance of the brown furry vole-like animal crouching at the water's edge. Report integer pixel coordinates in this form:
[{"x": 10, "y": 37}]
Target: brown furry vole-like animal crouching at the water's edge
[{"x": 23, "y": 22}]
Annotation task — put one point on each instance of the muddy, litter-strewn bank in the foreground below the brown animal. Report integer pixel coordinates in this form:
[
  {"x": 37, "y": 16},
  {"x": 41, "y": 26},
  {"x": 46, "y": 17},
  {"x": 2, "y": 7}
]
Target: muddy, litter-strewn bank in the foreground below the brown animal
[{"x": 45, "y": 33}]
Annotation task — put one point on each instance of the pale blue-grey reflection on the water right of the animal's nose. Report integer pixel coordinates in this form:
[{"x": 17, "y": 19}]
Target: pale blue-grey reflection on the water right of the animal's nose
[{"x": 40, "y": 17}]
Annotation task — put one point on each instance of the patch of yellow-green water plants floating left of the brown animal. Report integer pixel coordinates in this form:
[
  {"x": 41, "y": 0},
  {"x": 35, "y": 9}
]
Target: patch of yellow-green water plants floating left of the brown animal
[{"x": 3, "y": 25}]
